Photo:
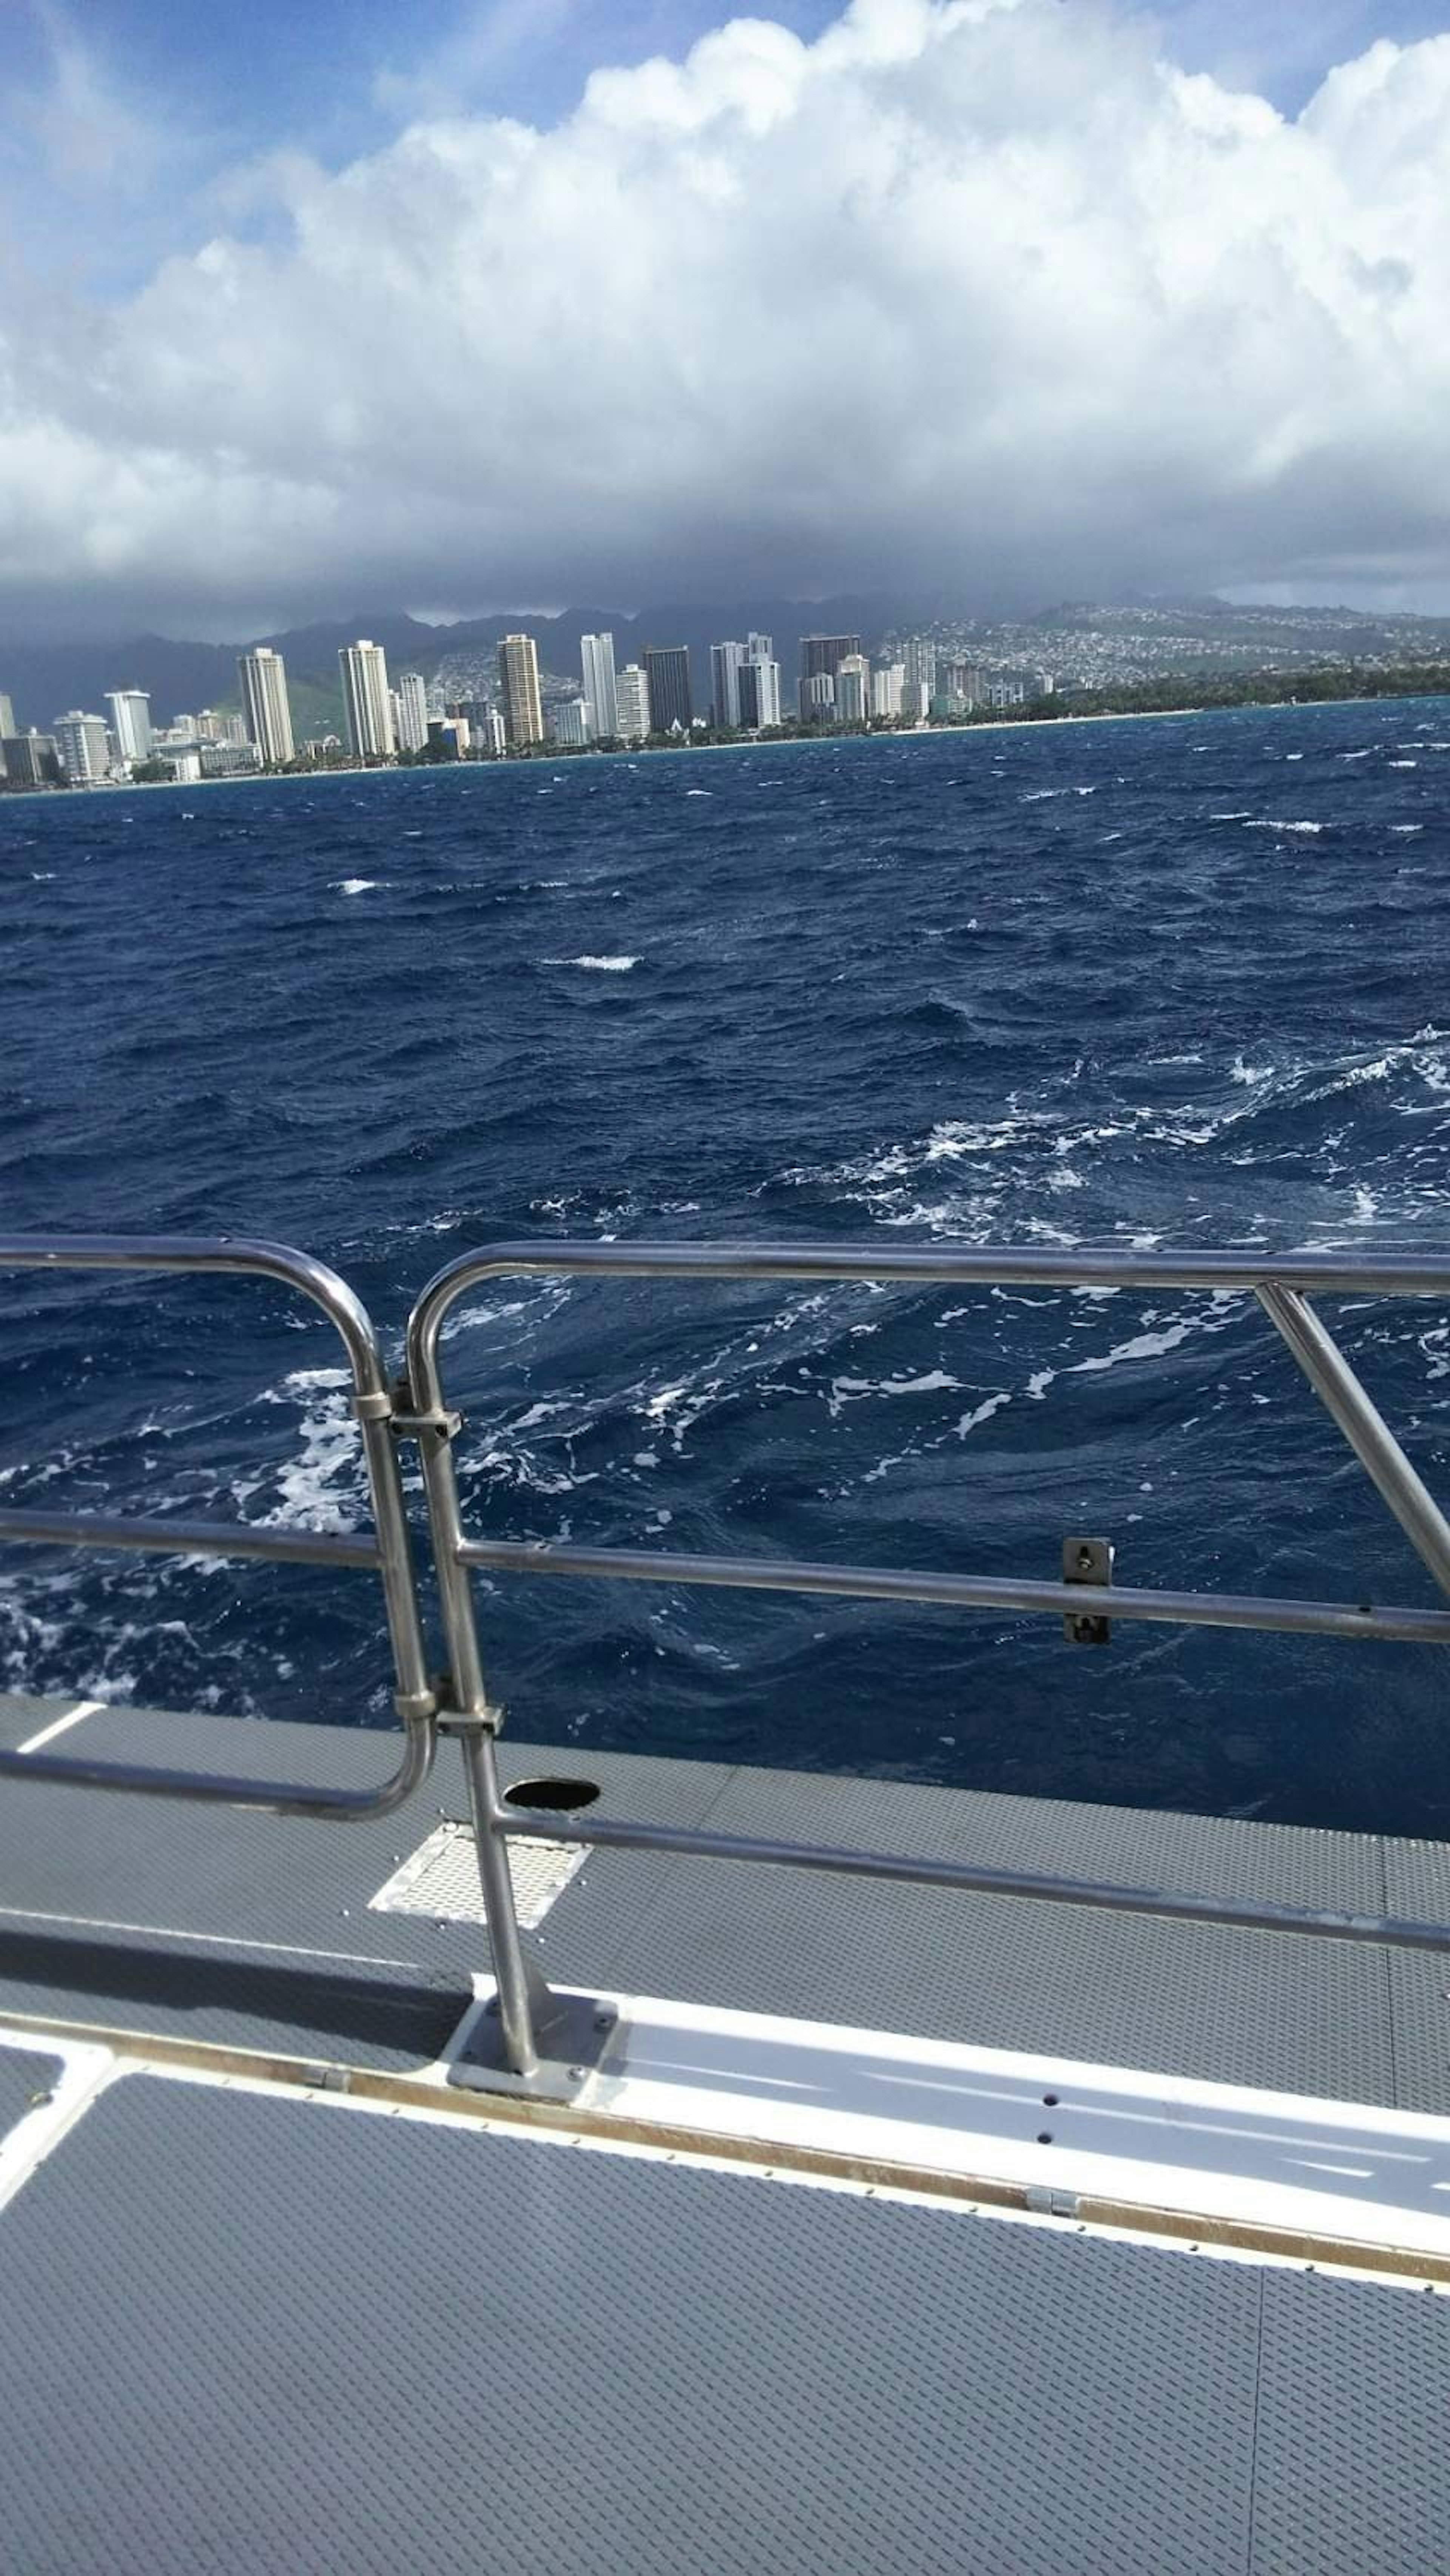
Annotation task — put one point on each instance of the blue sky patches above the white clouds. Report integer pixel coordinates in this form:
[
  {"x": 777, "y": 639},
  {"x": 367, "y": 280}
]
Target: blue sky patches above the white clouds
[{"x": 140, "y": 120}]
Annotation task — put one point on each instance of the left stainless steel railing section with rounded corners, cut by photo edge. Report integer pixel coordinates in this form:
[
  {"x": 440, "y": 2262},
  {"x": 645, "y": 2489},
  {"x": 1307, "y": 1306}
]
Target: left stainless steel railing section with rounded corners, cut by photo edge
[{"x": 388, "y": 1547}]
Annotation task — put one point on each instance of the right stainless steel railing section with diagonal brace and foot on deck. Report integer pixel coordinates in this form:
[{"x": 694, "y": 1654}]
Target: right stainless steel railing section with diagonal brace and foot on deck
[{"x": 1281, "y": 1284}]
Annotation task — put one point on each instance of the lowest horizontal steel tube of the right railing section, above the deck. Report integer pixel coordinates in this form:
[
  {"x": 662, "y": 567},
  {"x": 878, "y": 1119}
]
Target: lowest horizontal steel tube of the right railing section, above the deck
[{"x": 1098, "y": 1895}]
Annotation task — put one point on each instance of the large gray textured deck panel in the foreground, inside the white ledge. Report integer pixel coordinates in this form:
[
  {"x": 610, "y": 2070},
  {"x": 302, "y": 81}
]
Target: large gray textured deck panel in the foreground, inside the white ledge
[{"x": 310, "y": 2340}]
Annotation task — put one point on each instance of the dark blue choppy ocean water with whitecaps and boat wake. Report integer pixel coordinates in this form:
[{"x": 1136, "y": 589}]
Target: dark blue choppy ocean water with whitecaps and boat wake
[{"x": 1165, "y": 983}]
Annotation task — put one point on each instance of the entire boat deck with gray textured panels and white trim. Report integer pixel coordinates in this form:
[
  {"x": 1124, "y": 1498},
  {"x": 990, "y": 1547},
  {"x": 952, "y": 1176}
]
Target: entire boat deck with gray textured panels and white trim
[{"x": 282, "y": 2297}]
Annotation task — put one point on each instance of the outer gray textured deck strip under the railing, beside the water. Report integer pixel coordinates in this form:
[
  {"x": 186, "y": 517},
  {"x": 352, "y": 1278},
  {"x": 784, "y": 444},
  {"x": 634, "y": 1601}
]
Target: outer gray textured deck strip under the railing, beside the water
[{"x": 256, "y": 1931}]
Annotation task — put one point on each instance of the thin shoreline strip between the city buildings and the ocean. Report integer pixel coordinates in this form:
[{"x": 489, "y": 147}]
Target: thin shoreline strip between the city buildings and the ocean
[{"x": 692, "y": 751}]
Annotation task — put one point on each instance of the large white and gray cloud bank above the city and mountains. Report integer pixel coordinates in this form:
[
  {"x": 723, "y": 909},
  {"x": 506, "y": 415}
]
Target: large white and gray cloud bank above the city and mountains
[{"x": 967, "y": 292}]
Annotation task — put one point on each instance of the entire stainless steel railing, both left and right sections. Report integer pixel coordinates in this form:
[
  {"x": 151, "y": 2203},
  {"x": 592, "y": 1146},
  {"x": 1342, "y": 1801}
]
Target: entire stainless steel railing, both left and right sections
[{"x": 460, "y": 1704}]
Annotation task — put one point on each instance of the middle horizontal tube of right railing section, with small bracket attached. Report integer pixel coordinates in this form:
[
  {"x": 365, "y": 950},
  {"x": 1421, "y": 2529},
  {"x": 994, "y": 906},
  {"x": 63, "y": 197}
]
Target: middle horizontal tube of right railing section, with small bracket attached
[{"x": 962, "y": 1591}]
